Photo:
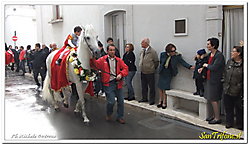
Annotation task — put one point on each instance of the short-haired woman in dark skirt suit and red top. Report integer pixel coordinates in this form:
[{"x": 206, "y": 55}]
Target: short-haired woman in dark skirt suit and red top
[{"x": 213, "y": 84}]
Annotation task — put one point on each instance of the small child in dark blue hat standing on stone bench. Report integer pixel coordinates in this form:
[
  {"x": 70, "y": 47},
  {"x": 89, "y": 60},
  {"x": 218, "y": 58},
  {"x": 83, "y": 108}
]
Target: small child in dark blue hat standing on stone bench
[{"x": 200, "y": 59}]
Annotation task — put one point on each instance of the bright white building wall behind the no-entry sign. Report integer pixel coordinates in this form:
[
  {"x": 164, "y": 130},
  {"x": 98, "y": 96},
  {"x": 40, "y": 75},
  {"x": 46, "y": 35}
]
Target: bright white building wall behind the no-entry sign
[{"x": 23, "y": 21}]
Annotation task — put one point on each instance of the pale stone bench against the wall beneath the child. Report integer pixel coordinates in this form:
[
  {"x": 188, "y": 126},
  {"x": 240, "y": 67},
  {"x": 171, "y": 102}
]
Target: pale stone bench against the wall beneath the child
[{"x": 174, "y": 96}]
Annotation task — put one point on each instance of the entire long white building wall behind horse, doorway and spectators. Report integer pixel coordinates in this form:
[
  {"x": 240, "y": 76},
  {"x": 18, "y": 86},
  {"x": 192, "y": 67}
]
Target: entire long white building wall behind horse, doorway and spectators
[{"x": 153, "y": 21}]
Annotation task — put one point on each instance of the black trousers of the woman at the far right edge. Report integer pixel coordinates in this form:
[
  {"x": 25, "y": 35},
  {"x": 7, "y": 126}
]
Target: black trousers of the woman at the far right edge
[{"x": 231, "y": 103}]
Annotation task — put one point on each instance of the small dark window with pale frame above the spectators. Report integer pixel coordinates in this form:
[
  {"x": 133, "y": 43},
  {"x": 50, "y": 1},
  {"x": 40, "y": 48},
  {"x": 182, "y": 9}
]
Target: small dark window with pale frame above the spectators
[{"x": 180, "y": 27}]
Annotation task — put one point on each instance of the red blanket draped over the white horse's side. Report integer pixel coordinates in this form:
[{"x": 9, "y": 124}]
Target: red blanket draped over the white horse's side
[{"x": 59, "y": 73}]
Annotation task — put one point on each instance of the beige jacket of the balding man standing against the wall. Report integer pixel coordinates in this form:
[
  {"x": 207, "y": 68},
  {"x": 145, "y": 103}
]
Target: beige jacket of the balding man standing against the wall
[{"x": 149, "y": 62}]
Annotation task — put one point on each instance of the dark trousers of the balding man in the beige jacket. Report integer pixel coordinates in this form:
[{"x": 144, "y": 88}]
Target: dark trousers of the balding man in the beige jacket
[{"x": 148, "y": 80}]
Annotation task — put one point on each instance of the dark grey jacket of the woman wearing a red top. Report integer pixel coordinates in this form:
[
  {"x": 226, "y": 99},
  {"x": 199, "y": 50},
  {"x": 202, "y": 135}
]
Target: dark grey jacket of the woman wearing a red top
[{"x": 216, "y": 67}]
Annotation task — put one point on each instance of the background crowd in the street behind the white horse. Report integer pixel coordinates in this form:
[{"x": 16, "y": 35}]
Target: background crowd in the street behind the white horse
[{"x": 34, "y": 59}]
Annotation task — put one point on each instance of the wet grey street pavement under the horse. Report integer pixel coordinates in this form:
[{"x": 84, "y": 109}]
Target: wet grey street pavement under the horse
[{"x": 26, "y": 119}]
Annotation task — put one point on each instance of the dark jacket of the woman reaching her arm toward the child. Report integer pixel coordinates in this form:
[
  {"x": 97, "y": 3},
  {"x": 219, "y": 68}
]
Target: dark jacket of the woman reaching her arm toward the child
[{"x": 175, "y": 60}]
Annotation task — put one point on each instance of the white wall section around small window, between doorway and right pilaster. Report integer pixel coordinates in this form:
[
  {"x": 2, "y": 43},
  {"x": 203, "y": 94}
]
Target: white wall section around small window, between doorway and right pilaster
[{"x": 156, "y": 22}]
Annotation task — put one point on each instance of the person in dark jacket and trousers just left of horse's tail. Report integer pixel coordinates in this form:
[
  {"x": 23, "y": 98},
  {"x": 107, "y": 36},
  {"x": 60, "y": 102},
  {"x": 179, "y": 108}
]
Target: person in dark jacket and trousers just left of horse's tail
[{"x": 38, "y": 59}]
